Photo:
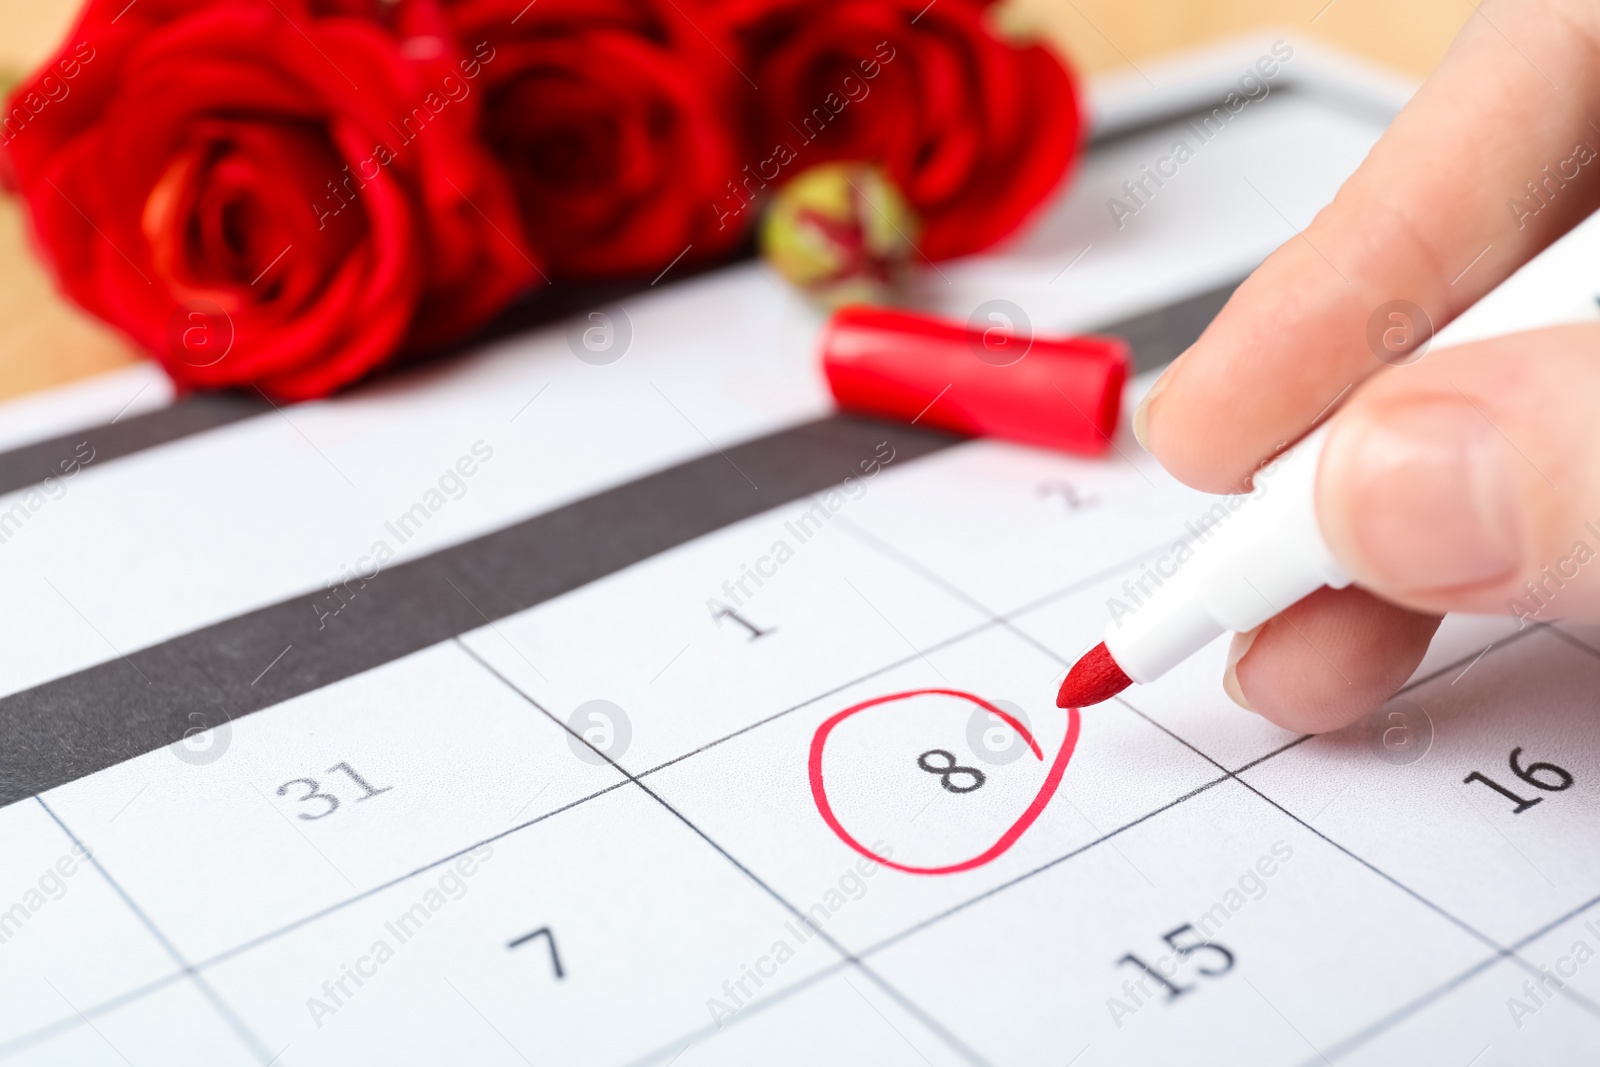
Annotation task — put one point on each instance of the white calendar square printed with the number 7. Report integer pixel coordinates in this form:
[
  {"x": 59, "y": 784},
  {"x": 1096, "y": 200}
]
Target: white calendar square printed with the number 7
[{"x": 593, "y": 938}]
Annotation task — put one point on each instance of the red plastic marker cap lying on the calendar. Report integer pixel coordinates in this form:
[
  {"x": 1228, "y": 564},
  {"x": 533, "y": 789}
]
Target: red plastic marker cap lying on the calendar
[{"x": 996, "y": 382}]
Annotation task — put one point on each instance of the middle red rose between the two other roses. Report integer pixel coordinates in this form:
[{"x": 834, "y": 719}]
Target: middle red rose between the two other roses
[{"x": 614, "y": 121}]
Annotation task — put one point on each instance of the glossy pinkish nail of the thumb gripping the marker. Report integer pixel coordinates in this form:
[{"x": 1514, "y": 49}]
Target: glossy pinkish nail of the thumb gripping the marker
[{"x": 1430, "y": 497}]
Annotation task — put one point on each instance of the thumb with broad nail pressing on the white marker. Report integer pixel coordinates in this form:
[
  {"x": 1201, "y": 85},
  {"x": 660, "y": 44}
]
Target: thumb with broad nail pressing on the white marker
[{"x": 1471, "y": 481}]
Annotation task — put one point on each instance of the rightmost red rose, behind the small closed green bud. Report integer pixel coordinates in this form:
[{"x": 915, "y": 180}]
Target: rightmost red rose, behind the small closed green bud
[{"x": 975, "y": 132}]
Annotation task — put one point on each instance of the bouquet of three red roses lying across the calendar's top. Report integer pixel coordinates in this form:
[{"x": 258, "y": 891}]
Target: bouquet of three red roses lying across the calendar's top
[{"x": 290, "y": 194}]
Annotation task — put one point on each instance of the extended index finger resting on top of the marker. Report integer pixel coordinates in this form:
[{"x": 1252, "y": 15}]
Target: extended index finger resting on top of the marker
[{"x": 1490, "y": 162}]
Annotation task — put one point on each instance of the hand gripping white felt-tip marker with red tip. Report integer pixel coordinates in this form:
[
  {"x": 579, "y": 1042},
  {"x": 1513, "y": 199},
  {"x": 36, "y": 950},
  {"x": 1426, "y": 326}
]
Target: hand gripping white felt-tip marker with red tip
[{"x": 1468, "y": 481}]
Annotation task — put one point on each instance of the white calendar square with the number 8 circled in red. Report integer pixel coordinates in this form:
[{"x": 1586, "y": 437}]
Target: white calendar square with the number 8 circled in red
[{"x": 884, "y": 773}]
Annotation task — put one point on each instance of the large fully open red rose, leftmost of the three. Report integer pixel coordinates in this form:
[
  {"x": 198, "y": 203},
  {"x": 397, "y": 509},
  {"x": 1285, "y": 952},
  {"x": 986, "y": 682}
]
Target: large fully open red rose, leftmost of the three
[{"x": 265, "y": 194}]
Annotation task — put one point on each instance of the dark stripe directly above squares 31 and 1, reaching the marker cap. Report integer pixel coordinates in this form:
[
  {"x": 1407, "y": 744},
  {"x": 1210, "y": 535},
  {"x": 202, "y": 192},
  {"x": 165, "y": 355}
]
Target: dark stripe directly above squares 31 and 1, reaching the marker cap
[{"x": 148, "y": 700}]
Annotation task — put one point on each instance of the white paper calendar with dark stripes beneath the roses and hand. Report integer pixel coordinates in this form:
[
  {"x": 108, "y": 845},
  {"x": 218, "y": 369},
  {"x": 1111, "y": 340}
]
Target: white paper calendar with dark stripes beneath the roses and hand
[{"x": 604, "y": 697}]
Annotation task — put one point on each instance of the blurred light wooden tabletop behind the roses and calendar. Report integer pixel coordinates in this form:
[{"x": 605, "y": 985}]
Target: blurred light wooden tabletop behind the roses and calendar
[{"x": 46, "y": 342}]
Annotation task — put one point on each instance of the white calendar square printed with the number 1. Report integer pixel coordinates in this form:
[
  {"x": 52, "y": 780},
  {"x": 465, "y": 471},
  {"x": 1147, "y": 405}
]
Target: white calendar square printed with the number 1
[{"x": 700, "y": 645}]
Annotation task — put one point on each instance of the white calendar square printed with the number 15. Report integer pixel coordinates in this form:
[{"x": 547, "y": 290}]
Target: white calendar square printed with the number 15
[{"x": 1217, "y": 933}]
